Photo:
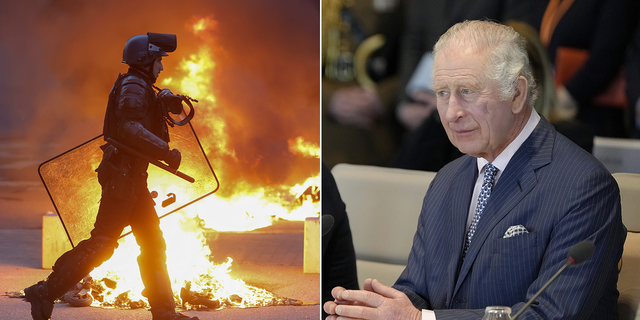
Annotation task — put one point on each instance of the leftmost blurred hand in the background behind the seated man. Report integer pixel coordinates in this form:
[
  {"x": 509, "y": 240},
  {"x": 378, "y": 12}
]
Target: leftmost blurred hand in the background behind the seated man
[{"x": 356, "y": 106}]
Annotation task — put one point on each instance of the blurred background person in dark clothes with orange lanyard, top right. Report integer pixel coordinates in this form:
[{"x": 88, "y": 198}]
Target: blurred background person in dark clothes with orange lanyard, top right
[{"x": 587, "y": 41}]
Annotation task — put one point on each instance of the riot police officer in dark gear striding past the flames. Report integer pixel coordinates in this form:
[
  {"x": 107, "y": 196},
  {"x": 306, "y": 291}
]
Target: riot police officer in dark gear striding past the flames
[{"x": 136, "y": 116}]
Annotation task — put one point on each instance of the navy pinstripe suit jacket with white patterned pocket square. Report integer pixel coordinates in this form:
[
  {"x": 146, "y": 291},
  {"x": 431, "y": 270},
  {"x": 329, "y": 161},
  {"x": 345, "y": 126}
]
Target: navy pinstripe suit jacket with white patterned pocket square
[{"x": 562, "y": 195}]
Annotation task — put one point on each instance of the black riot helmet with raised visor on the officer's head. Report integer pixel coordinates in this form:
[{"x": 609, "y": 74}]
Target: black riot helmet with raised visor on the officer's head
[{"x": 143, "y": 49}]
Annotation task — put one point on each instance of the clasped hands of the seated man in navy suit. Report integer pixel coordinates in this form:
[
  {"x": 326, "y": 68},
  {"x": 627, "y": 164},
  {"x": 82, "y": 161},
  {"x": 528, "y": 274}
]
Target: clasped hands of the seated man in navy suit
[{"x": 376, "y": 301}]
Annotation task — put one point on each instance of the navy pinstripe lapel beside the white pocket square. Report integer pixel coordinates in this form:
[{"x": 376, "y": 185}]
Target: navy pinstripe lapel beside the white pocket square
[{"x": 518, "y": 179}]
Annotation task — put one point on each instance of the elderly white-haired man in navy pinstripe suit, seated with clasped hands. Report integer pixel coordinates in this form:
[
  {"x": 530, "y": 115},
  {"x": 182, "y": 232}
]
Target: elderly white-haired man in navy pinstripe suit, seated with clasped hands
[{"x": 497, "y": 223}]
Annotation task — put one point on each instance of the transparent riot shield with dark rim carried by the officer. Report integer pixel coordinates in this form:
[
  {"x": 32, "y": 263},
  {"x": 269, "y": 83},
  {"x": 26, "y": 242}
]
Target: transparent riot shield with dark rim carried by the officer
[{"x": 72, "y": 183}]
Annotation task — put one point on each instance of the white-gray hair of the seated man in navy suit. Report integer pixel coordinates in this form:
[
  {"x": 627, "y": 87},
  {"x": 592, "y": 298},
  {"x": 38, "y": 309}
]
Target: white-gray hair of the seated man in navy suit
[{"x": 506, "y": 53}]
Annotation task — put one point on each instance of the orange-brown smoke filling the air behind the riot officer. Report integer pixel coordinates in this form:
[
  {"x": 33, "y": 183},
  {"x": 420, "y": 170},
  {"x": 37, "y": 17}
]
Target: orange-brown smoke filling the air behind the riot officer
[{"x": 59, "y": 60}]
